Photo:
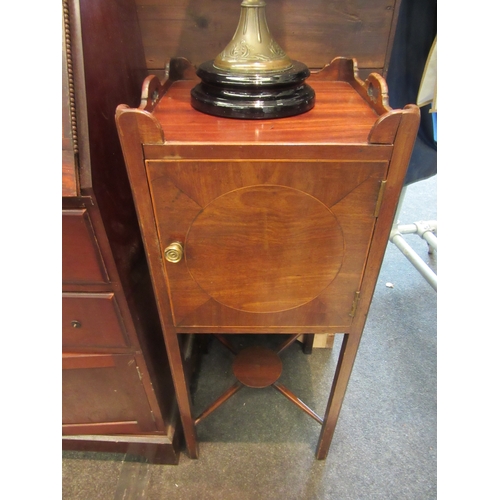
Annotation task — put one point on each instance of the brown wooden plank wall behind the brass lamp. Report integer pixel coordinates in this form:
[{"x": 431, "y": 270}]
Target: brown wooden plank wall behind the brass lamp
[{"x": 312, "y": 32}]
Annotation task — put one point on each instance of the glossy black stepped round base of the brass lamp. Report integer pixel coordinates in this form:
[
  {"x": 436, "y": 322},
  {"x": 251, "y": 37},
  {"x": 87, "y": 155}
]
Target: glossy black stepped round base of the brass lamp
[{"x": 253, "y": 96}]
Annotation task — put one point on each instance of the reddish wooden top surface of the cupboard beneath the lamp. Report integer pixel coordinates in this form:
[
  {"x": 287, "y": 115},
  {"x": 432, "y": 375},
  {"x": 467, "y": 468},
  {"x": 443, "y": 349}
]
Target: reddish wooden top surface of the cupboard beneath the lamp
[{"x": 340, "y": 116}]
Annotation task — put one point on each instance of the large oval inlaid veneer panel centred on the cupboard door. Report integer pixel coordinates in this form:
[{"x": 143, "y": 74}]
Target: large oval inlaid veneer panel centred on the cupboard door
[{"x": 264, "y": 249}]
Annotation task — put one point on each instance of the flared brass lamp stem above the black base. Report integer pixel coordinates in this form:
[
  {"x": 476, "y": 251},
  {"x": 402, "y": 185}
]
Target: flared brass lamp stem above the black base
[{"x": 253, "y": 48}]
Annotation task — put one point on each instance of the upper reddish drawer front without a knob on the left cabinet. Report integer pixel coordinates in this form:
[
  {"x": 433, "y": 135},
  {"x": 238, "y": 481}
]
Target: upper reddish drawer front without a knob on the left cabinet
[{"x": 81, "y": 258}]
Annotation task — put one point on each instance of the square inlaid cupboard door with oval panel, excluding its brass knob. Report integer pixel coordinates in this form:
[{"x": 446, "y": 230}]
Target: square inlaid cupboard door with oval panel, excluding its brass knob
[{"x": 266, "y": 243}]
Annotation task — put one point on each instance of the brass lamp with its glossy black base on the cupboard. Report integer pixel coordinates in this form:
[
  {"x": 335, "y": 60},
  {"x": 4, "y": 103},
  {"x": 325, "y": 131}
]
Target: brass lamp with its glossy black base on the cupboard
[{"x": 252, "y": 77}]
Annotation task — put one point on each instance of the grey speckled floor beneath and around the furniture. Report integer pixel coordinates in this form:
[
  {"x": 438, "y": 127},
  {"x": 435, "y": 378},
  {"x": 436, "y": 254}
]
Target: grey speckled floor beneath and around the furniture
[{"x": 260, "y": 446}]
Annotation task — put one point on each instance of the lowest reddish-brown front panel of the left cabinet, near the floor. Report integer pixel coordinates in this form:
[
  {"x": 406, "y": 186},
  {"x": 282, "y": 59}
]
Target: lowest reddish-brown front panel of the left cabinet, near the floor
[{"x": 103, "y": 394}]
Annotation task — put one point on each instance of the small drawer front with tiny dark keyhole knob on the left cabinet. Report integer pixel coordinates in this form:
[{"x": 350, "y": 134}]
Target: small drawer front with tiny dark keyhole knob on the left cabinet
[{"x": 92, "y": 320}]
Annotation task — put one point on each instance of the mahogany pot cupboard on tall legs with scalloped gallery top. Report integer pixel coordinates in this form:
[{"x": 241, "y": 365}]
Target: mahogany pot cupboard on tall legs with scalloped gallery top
[{"x": 266, "y": 226}]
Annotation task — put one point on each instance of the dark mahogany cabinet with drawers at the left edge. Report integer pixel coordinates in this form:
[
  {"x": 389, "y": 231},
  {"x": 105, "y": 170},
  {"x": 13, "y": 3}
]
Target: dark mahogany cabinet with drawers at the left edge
[{"x": 117, "y": 392}]
